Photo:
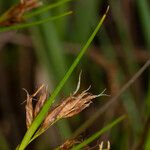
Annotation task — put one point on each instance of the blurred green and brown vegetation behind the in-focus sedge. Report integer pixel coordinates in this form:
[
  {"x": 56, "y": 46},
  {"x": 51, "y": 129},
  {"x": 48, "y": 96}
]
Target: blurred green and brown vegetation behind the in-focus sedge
[{"x": 42, "y": 54}]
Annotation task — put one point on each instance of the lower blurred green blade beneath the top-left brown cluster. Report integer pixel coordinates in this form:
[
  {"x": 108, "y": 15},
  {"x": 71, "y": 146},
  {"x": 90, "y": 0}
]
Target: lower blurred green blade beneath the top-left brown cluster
[{"x": 25, "y": 25}]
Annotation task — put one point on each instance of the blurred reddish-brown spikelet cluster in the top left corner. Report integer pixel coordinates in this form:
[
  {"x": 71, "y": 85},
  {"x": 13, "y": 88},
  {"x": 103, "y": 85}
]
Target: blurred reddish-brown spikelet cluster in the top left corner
[{"x": 15, "y": 14}]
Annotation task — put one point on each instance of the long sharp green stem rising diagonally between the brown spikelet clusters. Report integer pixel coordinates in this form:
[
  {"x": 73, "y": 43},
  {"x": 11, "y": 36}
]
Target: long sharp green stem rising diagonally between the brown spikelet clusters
[{"x": 38, "y": 120}]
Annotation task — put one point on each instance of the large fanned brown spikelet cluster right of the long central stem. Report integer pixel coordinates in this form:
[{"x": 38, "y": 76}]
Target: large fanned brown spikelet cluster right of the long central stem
[{"x": 69, "y": 107}]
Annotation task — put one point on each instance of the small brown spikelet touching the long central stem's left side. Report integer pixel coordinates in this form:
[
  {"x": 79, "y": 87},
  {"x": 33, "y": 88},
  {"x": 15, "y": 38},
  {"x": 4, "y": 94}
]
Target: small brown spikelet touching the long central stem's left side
[{"x": 40, "y": 102}]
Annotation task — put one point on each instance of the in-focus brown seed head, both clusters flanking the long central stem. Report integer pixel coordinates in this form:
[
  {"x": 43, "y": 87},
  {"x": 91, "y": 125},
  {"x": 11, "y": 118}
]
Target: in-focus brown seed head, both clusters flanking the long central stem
[{"x": 70, "y": 106}]
